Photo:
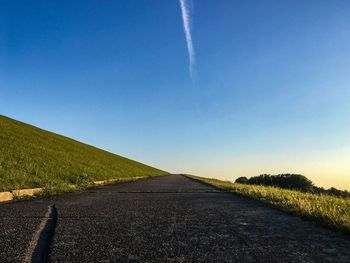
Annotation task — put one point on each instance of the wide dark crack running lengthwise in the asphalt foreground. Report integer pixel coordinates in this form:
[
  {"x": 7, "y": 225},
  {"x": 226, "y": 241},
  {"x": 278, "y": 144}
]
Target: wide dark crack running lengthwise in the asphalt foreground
[{"x": 39, "y": 248}]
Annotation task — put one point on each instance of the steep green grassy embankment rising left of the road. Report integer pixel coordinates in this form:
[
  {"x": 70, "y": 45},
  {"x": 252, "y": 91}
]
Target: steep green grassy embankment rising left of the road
[{"x": 32, "y": 157}]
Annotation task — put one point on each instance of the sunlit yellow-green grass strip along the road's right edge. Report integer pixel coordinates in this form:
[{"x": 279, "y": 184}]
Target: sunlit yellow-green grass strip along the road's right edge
[{"x": 333, "y": 212}]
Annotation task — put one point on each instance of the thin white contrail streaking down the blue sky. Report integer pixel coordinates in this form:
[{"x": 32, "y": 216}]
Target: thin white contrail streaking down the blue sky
[{"x": 186, "y": 18}]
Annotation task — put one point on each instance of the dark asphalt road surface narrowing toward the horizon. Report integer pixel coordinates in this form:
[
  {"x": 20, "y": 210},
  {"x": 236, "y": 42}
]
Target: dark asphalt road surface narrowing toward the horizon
[{"x": 166, "y": 219}]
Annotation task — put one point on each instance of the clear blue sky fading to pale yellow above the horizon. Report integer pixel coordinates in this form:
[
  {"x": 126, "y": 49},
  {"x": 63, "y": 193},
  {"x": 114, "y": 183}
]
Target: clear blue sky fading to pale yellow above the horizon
[{"x": 214, "y": 88}]
